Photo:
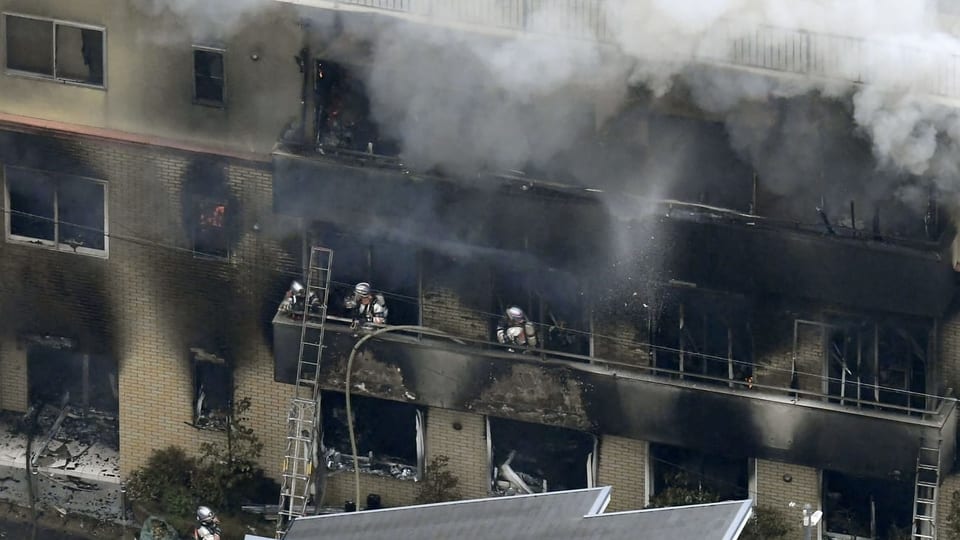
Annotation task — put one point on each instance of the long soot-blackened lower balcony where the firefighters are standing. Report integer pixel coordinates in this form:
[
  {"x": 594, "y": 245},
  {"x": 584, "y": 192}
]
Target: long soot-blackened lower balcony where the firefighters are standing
[{"x": 725, "y": 416}]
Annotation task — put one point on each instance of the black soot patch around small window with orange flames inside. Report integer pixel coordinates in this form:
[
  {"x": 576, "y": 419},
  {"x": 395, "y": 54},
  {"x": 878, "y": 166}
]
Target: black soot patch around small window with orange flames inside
[{"x": 209, "y": 208}]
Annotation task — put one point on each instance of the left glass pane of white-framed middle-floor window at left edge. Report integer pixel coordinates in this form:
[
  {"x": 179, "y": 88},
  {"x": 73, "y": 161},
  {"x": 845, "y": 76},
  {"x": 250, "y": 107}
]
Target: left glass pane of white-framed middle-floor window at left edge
[{"x": 31, "y": 203}]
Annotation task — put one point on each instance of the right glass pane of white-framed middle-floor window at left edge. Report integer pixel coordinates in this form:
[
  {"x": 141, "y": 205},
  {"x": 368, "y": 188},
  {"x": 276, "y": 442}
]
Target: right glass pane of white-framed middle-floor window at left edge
[{"x": 81, "y": 213}]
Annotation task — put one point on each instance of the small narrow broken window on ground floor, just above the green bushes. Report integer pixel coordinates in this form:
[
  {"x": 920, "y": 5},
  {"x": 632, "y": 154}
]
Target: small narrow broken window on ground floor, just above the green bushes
[{"x": 212, "y": 390}]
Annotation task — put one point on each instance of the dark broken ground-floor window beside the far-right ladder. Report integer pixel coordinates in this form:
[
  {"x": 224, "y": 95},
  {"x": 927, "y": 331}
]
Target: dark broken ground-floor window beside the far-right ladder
[{"x": 864, "y": 508}]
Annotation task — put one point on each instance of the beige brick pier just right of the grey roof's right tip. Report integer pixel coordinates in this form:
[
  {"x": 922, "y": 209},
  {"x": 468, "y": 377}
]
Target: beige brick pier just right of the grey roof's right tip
[{"x": 774, "y": 491}]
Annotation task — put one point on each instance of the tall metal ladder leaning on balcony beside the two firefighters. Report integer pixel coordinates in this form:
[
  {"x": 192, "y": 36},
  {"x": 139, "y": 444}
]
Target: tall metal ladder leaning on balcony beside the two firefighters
[{"x": 304, "y": 422}]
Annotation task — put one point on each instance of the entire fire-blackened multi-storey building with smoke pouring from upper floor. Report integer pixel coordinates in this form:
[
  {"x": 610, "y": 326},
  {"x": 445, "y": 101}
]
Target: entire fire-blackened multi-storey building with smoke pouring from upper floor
[{"x": 739, "y": 268}]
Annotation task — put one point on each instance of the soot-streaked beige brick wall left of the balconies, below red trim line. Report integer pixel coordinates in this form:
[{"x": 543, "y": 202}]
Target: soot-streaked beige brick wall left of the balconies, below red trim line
[{"x": 154, "y": 295}]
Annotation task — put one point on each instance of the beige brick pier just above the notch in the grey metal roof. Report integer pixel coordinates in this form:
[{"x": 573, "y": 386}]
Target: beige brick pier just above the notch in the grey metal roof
[{"x": 623, "y": 465}]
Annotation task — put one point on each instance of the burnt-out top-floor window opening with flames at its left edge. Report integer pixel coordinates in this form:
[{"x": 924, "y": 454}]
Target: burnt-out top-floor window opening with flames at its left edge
[{"x": 342, "y": 114}]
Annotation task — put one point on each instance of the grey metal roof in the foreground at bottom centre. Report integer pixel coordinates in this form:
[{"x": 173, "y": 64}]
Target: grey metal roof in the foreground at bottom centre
[{"x": 561, "y": 515}]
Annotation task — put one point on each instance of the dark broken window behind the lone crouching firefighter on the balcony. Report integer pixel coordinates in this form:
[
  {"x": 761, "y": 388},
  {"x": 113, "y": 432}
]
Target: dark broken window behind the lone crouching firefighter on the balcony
[{"x": 553, "y": 300}]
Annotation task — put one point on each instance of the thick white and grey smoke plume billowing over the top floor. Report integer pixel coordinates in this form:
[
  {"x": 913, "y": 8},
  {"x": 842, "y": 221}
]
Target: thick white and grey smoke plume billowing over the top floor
[{"x": 464, "y": 101}]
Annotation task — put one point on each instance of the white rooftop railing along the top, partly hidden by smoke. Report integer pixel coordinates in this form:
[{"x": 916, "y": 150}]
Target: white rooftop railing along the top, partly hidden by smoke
[{"x": 767, "y": 48}]
